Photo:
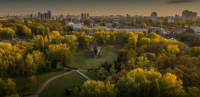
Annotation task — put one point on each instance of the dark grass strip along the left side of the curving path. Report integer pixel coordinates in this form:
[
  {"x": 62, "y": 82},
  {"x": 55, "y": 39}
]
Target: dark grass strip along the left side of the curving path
[{"x": 21, "y": 82}]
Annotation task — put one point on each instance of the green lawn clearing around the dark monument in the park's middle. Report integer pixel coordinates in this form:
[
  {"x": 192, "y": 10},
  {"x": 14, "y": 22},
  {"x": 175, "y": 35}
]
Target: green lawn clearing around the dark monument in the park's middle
[{"x": 84, "y": 59}]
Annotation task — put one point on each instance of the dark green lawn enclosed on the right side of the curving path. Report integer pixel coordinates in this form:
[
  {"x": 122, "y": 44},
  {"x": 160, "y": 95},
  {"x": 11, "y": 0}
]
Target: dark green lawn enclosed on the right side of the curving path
[{"x": 57, "y": 87}]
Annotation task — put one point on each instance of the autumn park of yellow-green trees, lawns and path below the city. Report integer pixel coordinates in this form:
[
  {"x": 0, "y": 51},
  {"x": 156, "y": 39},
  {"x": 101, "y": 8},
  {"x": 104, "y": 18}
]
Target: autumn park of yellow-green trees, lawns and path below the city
[{"x": 56, "y": 62}]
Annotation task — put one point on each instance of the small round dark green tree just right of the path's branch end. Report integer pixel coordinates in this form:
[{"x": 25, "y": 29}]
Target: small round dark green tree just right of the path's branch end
[{"x": 102, "y": 74}]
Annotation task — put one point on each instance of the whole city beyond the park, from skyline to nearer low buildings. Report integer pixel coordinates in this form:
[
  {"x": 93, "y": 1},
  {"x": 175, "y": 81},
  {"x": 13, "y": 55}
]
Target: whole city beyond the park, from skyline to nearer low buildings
[{"x": 77, "y": 21}]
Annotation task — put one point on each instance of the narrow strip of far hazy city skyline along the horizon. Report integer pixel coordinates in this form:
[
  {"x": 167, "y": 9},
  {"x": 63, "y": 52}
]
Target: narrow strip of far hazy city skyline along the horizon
[{"x": 186, "y": 15}]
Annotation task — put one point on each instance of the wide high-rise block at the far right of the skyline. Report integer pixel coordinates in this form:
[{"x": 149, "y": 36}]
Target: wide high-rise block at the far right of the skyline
[{"x": 189, "y": 15}]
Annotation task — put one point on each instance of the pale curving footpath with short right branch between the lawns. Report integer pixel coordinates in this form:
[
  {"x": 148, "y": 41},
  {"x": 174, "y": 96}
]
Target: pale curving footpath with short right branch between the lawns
[{"x": 49, "y": 80}]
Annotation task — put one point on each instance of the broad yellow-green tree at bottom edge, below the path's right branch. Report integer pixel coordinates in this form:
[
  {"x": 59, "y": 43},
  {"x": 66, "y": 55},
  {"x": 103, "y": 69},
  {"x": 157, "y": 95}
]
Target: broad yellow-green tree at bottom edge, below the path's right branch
[{"x": 97, "y": 89}]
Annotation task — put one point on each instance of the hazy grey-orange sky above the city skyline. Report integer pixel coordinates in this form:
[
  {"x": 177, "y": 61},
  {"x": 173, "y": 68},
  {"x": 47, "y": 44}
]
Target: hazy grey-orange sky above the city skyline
[{"x": 99, "y": 7}]
